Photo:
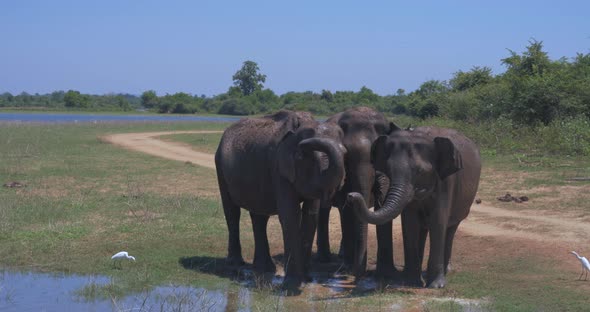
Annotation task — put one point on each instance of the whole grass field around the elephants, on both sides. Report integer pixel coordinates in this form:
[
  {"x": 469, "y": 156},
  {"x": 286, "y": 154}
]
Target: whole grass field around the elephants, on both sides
[{"x": 84, "y": 200}]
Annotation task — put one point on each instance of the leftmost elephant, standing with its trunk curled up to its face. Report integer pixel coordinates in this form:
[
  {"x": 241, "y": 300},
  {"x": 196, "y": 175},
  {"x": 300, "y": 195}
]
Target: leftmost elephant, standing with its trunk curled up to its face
[{"x": 268, "y": 166}]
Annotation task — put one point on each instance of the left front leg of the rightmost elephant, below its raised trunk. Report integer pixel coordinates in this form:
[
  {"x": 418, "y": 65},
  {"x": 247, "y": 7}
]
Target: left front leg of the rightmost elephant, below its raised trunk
[{"x": 412, "y": 235}]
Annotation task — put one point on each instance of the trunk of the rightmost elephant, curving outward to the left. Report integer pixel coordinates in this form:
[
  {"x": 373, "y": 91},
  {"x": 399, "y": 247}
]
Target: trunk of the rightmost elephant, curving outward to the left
[{"x": 398, "y": 196}]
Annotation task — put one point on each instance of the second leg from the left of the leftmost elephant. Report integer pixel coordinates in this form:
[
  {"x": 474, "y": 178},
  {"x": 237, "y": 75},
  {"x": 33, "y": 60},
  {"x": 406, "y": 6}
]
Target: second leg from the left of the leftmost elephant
[{"x": 262, "y": 260}]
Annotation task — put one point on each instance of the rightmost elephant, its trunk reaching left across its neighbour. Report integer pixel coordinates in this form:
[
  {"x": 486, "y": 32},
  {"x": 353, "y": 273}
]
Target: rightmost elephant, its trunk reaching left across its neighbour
[{"x": 434, "y": 175}]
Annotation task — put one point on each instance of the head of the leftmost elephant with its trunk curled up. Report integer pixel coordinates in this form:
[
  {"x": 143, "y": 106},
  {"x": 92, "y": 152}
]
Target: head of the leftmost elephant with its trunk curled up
[{"x": 311, "y": 158}]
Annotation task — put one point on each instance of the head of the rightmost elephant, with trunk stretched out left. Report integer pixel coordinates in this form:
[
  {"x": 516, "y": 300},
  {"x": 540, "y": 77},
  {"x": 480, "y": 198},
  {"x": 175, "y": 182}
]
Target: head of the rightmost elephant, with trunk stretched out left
[{"x": 415, "y": 164}]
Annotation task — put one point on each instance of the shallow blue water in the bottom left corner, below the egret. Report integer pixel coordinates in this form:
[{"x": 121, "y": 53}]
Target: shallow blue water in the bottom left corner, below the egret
[{"x": 28, "y": 291}]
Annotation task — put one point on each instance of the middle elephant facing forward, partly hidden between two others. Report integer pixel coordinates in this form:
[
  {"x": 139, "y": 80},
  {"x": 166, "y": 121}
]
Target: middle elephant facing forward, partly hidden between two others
[{"x": 360, "y": 126}]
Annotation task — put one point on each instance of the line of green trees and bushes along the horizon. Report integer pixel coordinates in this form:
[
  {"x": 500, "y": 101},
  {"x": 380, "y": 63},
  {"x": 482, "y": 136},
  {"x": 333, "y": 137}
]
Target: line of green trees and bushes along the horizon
[{"x": 533, "y": 90}]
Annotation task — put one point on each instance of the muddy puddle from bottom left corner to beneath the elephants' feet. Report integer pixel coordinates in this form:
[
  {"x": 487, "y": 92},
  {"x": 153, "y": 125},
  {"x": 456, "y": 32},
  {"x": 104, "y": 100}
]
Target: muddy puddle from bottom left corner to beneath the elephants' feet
[{"x": 30, "y": 291}]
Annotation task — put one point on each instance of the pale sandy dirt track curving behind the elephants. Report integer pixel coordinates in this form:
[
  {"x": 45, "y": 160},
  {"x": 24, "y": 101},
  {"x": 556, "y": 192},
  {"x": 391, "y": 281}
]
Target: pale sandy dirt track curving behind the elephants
[{"x": 484, "y": 220}]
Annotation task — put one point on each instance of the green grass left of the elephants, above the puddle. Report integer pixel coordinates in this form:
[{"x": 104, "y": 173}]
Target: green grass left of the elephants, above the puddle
[{"x": 89, "y": 199}]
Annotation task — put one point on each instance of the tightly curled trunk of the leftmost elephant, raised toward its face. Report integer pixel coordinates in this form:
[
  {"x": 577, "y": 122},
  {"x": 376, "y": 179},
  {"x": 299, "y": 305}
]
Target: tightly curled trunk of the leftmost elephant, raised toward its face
[{"x": 331, "y": 178}]
